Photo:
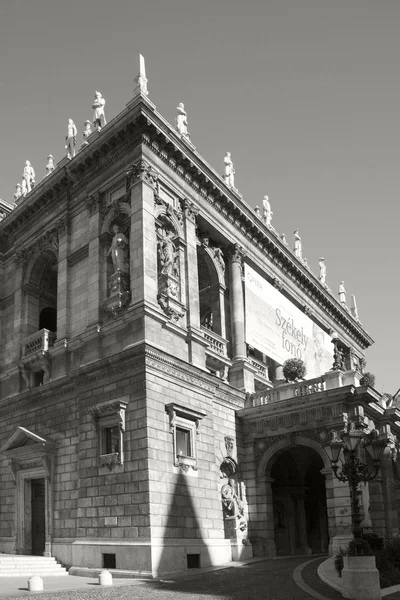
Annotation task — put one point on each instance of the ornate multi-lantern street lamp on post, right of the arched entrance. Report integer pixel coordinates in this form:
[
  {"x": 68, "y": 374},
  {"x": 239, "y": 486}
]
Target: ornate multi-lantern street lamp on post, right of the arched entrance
[{"x": 343, "y": 452}]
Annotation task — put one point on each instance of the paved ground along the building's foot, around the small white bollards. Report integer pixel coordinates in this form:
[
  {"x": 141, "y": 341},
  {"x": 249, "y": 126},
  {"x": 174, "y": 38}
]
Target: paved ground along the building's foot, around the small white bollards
[{"x": 256, "y": 579}]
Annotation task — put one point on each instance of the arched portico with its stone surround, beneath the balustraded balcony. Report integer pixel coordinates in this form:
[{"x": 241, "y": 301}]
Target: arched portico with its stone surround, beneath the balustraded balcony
[{"x": 292, "y": 477}]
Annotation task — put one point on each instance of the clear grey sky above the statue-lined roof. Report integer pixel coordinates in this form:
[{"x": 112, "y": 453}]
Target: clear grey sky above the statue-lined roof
[{"x": 304, "y": 93}]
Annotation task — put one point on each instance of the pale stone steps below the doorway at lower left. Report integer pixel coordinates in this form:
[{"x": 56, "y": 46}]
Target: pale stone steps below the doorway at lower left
[{"x": 17, "y": 565}]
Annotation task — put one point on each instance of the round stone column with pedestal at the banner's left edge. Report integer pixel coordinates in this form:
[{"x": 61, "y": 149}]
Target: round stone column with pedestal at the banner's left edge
[{"x": 241, "y": 374}]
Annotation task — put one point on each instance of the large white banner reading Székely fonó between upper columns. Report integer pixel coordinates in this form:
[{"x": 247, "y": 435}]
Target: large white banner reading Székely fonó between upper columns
[{"x": 280, "y": 330}]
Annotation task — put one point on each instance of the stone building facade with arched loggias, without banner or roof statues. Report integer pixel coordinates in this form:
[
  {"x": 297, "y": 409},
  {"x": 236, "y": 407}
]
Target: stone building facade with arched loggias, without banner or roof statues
[{"x": 140, "y": 430}]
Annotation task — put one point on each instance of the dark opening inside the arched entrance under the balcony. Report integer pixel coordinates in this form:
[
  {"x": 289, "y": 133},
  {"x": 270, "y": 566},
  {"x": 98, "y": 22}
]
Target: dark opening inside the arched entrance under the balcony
[{"x": 299, "y": 501}]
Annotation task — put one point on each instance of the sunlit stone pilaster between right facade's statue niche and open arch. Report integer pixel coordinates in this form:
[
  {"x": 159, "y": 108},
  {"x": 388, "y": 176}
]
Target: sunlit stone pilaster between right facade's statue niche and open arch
[{"x": 195, "y": 339}]
